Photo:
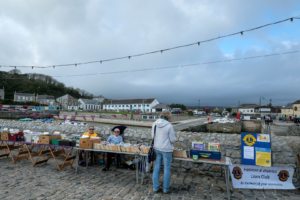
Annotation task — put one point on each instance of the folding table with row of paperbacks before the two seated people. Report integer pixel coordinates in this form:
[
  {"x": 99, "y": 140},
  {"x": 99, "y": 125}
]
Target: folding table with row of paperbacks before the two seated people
[{"x": 107, "y": 151}]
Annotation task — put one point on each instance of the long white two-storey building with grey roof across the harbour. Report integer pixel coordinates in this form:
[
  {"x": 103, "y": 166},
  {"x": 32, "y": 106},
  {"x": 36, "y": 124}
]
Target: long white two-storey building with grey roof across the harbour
[{"x": 144, "y": 105}]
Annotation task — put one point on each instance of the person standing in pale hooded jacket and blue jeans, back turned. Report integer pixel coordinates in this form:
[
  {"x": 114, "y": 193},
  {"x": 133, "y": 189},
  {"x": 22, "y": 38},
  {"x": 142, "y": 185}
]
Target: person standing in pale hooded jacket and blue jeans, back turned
[{"x": 164, "y": 139}]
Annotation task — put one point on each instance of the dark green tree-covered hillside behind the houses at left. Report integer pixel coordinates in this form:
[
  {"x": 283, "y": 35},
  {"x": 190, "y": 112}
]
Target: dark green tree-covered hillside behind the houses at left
[{"x": 36, "y": 83}]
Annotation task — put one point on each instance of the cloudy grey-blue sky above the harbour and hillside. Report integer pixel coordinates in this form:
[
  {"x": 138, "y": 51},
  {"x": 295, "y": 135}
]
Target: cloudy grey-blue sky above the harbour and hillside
[{"x": 55, "y": 32}]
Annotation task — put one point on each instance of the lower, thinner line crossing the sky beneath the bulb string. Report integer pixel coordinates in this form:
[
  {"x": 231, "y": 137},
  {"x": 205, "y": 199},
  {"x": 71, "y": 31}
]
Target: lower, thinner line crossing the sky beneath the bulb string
[{"x": 185, "y": 65}]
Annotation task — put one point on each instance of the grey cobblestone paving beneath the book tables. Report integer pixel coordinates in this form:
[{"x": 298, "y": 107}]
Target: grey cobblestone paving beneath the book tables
[{"x": 22, "y": 181}]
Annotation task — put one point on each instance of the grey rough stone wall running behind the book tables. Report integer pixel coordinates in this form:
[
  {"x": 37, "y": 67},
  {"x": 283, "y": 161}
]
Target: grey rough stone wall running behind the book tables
[{"x": 282, "y": 153}]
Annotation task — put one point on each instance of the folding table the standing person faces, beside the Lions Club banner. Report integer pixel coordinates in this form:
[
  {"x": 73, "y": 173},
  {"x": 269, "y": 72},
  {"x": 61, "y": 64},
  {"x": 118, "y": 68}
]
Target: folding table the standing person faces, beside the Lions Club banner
[{"x": 224, "y": 161}]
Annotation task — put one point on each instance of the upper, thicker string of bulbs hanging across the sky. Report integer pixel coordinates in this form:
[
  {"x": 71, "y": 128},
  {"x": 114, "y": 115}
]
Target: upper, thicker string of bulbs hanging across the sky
[{"x": 158, "y": 51}]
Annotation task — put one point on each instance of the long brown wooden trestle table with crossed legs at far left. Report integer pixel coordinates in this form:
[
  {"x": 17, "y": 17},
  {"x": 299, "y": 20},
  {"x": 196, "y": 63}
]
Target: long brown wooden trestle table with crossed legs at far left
[{"x": 10, "y": 145}]
